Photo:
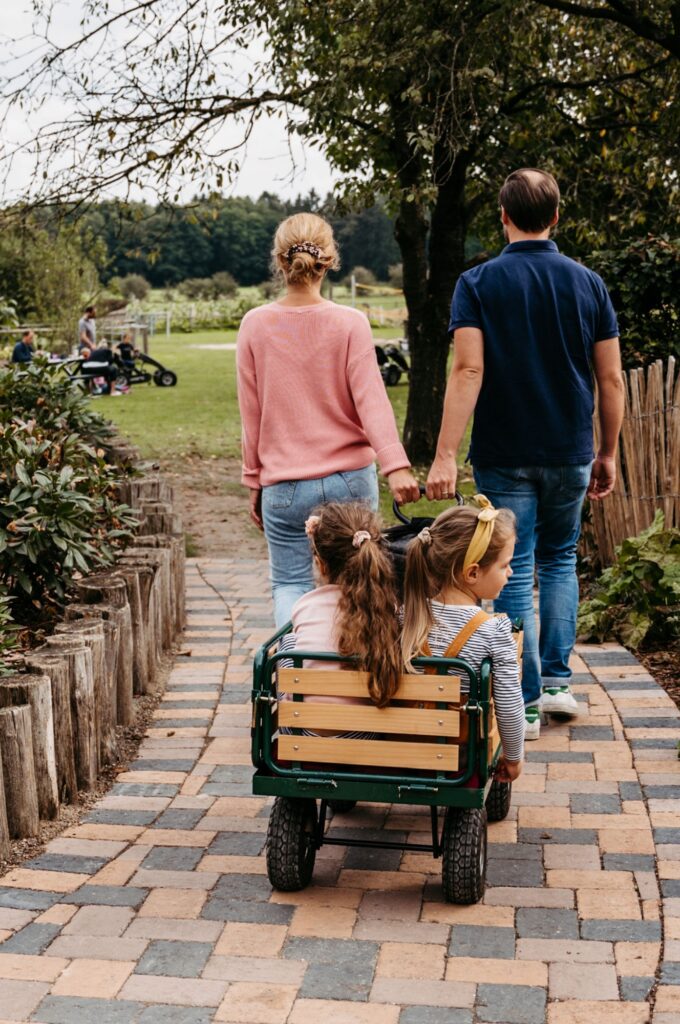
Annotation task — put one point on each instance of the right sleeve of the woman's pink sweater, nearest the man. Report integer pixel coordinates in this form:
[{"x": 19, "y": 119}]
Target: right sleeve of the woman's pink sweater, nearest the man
[{"x": 371, "y": 402}]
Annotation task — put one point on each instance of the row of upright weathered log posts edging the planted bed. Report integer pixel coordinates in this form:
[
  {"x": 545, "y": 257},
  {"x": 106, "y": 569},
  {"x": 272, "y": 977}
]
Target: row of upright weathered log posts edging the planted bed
[{"x": 60, "y": 716}]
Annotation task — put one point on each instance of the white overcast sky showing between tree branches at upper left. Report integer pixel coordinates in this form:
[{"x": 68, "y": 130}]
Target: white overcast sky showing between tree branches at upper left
[{"x": 272, "y": 162}]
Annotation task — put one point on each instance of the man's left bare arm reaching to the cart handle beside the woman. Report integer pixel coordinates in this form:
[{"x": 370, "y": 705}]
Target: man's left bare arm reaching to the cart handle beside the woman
[{"x": 462, "y": 394}]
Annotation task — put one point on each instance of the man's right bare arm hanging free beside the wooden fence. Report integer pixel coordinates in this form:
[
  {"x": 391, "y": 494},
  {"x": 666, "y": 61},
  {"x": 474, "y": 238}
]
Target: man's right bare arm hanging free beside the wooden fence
[{"x": 607, "y": 366}]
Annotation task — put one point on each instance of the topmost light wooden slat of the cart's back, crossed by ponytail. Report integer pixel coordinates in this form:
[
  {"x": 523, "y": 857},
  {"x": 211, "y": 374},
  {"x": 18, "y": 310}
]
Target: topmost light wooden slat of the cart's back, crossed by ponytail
[{"x": 334, "y": 682}]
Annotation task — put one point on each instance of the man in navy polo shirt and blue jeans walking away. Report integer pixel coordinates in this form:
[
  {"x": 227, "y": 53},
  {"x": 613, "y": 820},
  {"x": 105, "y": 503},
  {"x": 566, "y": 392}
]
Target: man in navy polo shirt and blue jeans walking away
[{"x": 531, "y": 328}]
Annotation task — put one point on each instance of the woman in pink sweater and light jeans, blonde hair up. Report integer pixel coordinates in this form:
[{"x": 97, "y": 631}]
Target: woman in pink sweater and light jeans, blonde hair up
[{"x": 314, "y": 408}]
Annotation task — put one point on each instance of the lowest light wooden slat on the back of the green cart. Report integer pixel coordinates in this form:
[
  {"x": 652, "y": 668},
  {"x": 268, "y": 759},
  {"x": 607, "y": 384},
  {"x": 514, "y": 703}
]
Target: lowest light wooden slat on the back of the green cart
[{"x": 369, "y": 753}]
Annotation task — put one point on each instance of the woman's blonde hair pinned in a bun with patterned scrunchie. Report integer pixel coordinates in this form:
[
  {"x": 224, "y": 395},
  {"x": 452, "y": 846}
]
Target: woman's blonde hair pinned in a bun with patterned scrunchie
[{"x": 305, "y": 249}]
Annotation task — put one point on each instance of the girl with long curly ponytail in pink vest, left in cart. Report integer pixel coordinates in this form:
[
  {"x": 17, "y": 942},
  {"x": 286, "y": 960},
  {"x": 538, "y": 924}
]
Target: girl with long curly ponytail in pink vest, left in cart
[{"x": 354, "y": 612}]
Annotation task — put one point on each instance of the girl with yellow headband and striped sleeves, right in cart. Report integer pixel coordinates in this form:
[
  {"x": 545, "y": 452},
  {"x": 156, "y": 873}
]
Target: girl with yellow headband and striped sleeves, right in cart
[{"x": 462, "y": 560}]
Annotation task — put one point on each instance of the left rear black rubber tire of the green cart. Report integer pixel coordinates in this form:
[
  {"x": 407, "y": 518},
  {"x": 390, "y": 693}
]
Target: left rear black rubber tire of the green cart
[{"x": 291, "y": 852}]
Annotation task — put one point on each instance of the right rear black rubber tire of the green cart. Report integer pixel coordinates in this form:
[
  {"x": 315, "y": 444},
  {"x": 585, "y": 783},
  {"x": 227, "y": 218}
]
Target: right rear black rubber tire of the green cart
[{"x": 464, "y": 856}]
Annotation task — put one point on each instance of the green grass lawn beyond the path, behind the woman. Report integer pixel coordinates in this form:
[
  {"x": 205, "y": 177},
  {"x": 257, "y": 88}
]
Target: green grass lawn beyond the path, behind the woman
[{"x": 200, "y": 416}]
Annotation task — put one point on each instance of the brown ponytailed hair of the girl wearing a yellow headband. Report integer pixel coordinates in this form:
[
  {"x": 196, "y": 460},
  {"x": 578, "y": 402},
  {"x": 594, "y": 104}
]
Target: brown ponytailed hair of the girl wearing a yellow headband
[{"x": 439, "y": 562}]
